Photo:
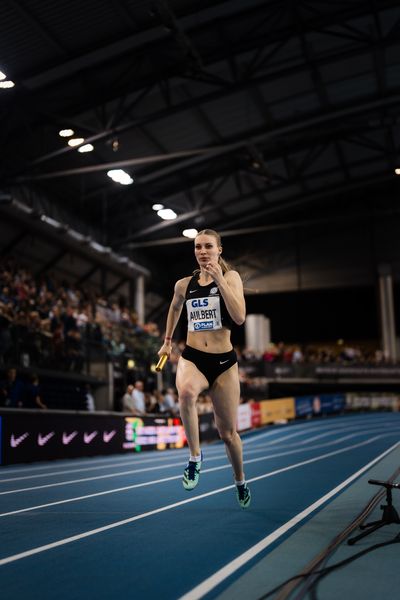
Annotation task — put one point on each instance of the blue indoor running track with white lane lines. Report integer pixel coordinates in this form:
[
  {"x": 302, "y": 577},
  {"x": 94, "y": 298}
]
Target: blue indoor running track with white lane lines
[{"x": 123, "y": 526}]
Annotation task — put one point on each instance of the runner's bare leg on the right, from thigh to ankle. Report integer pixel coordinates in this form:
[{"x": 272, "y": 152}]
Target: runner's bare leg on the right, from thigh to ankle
[{"x": 225, "y": 394}]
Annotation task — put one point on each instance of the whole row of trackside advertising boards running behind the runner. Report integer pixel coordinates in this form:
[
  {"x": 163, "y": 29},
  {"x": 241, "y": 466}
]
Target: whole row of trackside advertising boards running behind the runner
[{"x": 31, "y": 435}]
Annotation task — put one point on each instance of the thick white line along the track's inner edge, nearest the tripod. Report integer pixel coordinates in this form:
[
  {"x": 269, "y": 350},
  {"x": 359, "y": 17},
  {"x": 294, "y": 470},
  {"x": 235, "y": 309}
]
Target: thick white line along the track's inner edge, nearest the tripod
[{"x": 219, "y": 576}]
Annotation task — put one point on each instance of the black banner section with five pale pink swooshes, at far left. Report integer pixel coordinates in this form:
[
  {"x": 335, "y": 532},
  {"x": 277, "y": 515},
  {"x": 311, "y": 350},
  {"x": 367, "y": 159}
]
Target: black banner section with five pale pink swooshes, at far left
[{"x": 34, "y": 436}]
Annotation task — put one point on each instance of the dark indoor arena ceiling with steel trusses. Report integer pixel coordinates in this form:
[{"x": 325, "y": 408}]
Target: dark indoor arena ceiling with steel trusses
[{"x": 247, "y": 116}]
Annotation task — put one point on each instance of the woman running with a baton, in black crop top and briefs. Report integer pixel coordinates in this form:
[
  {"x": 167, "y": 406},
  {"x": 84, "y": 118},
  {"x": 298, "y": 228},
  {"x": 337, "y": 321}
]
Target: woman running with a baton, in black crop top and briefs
[{"x": 214, "y": 300}]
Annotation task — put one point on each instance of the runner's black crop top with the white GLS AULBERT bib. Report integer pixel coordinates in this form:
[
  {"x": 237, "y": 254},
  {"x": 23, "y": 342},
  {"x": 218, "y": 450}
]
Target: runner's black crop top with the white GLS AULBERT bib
[{"x": 206, "y": 310}]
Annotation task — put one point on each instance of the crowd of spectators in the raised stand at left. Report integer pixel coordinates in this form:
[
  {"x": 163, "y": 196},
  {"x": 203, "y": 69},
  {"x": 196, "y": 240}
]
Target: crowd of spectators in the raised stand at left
[{"x": 51, "y": 323}]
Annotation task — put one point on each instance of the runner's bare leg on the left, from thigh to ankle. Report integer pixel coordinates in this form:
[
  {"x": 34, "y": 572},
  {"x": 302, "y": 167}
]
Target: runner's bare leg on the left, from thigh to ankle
[{"x": 189, "y": 383}]
